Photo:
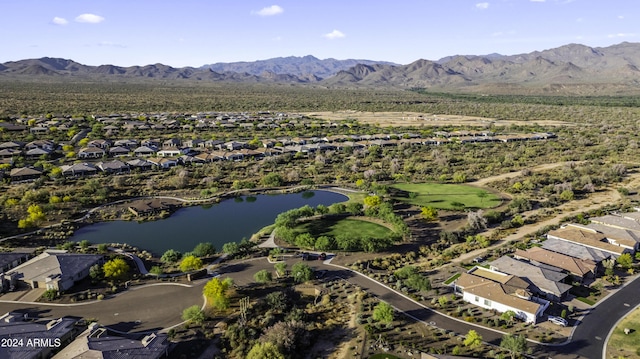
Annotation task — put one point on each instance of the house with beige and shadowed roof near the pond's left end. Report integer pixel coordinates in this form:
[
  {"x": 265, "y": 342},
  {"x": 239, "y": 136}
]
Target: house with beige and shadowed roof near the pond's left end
[{"x": 56, "y": 269}]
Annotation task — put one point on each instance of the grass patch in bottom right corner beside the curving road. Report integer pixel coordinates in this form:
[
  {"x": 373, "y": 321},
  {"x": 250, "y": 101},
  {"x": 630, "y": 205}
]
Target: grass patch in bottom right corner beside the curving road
[{"x": 621, "y": 345}]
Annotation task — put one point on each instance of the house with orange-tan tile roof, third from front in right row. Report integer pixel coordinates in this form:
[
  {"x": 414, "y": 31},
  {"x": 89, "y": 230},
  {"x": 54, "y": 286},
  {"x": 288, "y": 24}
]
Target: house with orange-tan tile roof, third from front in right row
[{"x": 580, "y": 269}]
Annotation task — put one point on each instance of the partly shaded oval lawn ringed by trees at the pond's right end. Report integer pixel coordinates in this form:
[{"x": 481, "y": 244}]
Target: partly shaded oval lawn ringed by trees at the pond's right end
[{"x": 345, "y": 226}]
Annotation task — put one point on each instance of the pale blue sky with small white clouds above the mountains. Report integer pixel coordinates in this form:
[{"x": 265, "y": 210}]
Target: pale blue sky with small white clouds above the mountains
[{"x": 197, "y": 32}]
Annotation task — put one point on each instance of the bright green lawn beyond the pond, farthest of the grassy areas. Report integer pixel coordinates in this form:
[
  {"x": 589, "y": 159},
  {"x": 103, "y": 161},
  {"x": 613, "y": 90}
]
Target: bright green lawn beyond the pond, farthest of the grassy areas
[{"x": 446, "y": 196}]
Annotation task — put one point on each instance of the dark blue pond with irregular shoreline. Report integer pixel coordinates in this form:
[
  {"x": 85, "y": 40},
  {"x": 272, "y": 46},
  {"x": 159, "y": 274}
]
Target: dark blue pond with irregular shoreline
[{"x": 228, "y": 221}]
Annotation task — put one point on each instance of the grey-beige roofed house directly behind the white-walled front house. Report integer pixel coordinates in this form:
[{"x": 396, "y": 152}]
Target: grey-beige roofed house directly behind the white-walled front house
[{"x": 544, "y": 281}]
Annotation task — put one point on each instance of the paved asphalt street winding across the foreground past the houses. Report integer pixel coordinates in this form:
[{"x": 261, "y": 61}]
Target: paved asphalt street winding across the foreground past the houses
[{"x": 160, "y": 306}]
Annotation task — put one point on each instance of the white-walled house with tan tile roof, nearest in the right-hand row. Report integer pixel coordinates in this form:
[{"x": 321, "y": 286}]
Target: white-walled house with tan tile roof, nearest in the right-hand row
[{"x": 494, "y": 290}]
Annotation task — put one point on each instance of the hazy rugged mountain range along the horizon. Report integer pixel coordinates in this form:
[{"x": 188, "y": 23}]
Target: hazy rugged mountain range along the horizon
[{"x": 574, "y": 65}]
